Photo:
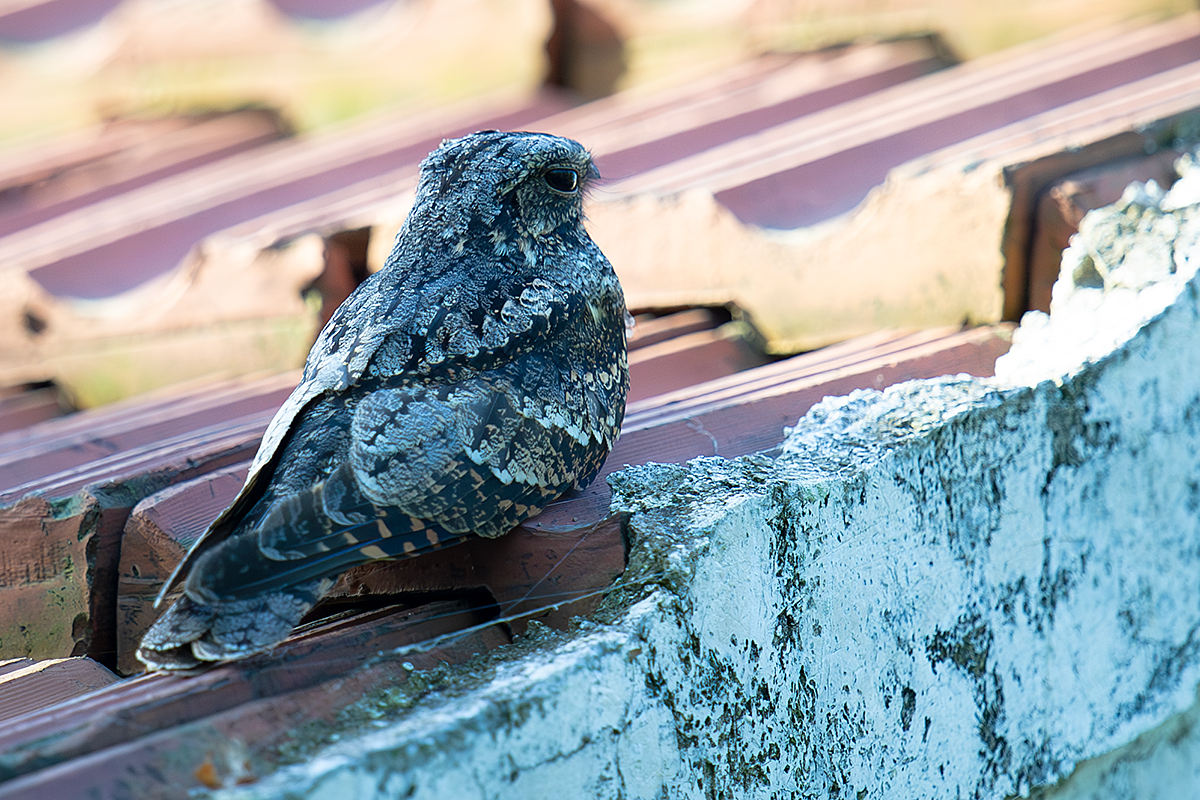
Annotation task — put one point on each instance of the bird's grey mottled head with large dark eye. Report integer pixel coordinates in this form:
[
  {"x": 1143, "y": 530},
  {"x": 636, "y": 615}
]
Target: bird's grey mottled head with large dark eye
[{"x": 505, "y": 185}]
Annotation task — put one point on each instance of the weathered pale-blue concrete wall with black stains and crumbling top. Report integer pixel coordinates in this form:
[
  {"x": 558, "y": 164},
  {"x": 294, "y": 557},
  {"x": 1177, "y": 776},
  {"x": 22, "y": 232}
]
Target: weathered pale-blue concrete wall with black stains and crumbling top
[{"x": 953, "y": 588}]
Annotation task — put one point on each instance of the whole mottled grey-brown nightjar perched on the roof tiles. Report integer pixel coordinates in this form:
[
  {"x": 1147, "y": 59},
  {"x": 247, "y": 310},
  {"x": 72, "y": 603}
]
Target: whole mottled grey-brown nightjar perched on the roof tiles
[{"x": 478, "y": 376}]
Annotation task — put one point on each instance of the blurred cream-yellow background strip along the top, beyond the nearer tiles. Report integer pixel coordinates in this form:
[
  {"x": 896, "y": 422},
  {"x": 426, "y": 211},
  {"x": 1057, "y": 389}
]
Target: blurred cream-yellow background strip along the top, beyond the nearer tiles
[{"x": 69, "y": 64}]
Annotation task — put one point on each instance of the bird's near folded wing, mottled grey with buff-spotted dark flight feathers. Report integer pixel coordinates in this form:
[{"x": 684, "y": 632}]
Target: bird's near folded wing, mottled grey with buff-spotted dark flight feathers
[{"x": 429, "y": 466}]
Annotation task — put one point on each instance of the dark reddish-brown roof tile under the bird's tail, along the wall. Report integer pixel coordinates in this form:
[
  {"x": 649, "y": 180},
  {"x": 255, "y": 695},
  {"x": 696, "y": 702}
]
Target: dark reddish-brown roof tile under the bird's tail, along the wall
[{"x": 160, "y": 731}]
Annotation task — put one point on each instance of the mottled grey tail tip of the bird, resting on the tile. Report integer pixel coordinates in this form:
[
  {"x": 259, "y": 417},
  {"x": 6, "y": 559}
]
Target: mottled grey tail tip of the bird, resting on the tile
[{"x": 194, "y": 635}]
